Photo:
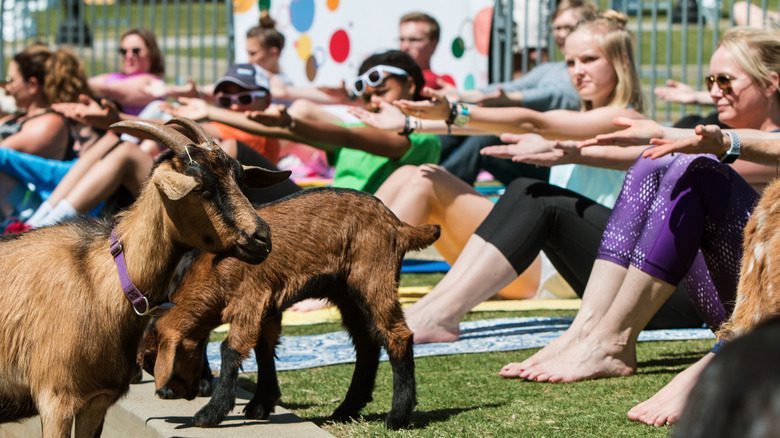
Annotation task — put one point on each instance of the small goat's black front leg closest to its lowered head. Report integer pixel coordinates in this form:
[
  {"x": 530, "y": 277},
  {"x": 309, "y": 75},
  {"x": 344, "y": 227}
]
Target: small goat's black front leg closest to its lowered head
[{"x": 224, "y": 398}]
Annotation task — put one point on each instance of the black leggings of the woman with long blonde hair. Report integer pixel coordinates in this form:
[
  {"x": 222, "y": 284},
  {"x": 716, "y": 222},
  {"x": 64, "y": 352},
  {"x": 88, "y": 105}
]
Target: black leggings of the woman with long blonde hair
[{"x": 533, "y": 216}]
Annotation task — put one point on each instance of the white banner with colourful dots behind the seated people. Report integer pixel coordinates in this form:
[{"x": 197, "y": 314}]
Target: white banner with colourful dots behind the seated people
[{"x": 326, "y": 40}]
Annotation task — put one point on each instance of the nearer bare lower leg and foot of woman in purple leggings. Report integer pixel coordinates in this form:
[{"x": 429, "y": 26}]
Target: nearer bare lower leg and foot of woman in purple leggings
[{"x": 609, "y": 350}]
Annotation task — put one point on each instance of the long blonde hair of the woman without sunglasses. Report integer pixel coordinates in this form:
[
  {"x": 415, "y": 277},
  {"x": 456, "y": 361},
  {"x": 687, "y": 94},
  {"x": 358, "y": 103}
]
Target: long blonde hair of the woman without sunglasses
[{"x": 615, "y": 40}]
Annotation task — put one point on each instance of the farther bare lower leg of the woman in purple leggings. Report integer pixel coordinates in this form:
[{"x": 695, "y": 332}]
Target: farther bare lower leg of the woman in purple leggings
[{"x": 605, "y": 280}]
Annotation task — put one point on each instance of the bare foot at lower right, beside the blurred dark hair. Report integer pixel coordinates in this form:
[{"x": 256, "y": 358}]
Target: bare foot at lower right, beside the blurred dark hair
[{"x": 667, "y": 404}]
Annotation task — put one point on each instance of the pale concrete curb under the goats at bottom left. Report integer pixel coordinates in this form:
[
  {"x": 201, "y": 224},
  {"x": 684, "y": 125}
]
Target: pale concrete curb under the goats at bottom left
[{"x": 141, "y": 414}]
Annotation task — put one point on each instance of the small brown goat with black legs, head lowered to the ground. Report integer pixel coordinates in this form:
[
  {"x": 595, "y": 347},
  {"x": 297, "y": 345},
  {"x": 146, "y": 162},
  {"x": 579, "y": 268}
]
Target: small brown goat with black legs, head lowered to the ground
[{"x": 338, "y": 244}]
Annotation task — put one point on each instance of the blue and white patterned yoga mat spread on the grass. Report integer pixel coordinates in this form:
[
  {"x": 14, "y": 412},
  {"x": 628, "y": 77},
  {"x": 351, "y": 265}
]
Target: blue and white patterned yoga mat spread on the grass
[{"x": 502, "y": 334}]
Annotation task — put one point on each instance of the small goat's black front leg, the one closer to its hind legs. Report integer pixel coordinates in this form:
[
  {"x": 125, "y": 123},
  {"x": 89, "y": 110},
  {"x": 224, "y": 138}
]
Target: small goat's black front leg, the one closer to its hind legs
[{"x": 267, "y": 392}]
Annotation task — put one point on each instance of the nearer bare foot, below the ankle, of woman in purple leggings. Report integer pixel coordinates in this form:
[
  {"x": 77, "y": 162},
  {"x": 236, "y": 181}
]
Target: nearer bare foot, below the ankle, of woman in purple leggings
[{"x": 584, "y": 360}]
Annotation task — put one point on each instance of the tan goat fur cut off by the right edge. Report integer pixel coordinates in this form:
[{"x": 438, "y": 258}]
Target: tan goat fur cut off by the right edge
[{"x": 758, "y": 292}]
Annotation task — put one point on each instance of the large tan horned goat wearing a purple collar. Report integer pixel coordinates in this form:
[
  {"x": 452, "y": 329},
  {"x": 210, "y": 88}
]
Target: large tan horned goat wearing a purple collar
[{"x": 69, "y": 335}]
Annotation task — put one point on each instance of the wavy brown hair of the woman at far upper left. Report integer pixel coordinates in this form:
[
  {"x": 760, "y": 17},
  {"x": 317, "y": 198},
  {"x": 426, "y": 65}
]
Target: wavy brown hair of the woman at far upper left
[{"x": 59, "y": 73}]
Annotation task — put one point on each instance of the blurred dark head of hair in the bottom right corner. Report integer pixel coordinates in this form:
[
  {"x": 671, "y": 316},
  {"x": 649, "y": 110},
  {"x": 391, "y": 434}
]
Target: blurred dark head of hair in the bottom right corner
[{"x": 738, "y": 393}]
